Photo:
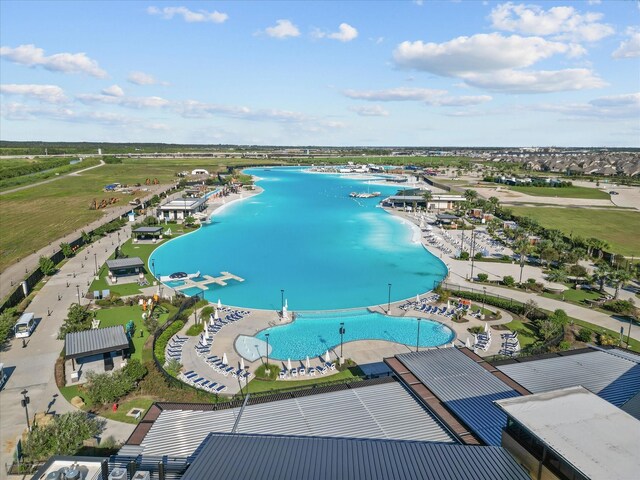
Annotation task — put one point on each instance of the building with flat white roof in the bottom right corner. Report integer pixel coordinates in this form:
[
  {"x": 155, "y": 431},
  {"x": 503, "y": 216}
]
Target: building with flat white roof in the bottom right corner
[{"x": 576, "y": 433}]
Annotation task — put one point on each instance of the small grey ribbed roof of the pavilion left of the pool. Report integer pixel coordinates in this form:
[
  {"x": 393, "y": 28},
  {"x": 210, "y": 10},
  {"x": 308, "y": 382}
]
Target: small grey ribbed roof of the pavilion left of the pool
[{"x": 99, "y": 340}]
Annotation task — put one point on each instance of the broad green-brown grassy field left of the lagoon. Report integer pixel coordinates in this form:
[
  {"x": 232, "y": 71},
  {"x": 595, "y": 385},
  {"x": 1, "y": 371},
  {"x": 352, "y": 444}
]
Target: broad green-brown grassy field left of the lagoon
[{"x": 34, "y": 217}]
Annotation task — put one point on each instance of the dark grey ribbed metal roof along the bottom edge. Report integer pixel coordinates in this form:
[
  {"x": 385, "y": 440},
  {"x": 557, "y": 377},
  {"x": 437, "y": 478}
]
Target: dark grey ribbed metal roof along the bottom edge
[{"x": 311, "y": 458}]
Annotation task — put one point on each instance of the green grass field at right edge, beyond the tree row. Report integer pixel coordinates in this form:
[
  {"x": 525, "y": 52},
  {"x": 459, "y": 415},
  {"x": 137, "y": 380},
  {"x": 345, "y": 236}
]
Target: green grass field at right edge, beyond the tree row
[{"x": 621, "y": 229}]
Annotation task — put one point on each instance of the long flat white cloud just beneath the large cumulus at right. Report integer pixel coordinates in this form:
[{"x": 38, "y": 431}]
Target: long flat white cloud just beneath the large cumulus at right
[{"x": 543, "y": 81}]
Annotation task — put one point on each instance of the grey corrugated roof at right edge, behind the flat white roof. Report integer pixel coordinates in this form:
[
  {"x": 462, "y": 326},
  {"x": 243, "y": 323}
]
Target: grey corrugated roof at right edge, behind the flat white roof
[{"x": 610, "y": 374}]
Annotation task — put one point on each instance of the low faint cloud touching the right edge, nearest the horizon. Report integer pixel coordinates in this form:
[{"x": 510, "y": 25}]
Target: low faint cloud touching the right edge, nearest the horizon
[{"x": 615, "y": 106}]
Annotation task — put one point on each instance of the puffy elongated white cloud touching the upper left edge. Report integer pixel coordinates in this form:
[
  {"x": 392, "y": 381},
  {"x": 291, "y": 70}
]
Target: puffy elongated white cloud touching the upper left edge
[{"x": 33, "y": 56}]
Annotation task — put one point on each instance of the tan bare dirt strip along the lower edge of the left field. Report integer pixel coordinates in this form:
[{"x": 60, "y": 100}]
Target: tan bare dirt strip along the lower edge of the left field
[{"x": 19, "y": 270}]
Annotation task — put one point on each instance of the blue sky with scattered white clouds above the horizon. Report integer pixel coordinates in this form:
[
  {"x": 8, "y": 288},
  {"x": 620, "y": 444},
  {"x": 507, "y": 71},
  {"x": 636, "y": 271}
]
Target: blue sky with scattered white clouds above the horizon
[{"x": 448, "y": 73}]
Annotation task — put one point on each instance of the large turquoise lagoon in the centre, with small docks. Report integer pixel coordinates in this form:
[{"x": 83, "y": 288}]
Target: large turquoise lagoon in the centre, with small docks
[{"x": 304, "y": 235}]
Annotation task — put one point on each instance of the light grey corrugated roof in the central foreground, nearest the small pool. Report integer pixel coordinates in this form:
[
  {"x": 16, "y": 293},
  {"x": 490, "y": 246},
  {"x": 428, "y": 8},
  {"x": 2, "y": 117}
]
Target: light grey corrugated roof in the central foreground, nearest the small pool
[{"x": 379, "y": 411}]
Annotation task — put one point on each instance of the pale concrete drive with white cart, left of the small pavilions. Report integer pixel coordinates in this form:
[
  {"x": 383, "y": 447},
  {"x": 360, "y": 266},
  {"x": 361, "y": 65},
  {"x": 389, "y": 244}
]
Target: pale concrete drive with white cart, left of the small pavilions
[{"x": 32, "y": 368}]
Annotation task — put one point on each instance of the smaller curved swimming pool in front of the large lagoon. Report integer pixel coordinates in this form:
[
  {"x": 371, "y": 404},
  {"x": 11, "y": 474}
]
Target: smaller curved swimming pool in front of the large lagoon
[{"x": 314, "y": 333}]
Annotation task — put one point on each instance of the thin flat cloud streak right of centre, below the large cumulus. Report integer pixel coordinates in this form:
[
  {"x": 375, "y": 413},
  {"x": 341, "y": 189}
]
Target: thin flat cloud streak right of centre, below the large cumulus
[{"x": 426, "y": 95}]
